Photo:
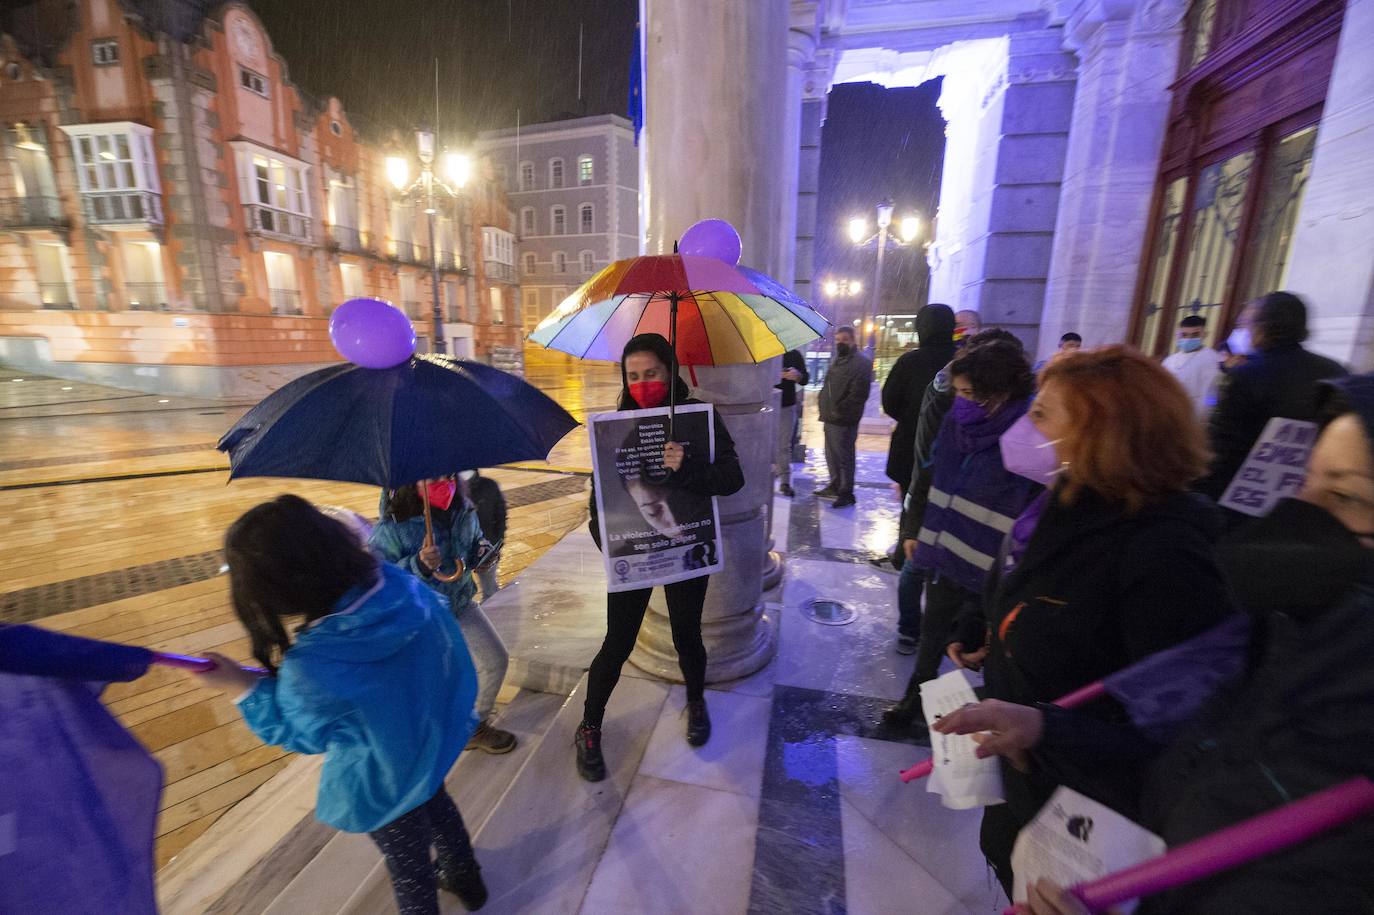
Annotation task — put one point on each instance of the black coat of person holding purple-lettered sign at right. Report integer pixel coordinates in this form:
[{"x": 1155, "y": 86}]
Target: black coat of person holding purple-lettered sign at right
[{"x": 1277, "y": 383}]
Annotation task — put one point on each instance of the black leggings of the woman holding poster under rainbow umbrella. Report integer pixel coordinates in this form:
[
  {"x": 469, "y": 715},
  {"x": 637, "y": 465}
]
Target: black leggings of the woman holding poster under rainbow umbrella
[{"x": 624, "y": 615}]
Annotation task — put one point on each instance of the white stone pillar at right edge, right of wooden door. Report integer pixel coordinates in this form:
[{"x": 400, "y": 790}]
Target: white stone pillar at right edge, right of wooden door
[{"x": 1333, "y": 244}]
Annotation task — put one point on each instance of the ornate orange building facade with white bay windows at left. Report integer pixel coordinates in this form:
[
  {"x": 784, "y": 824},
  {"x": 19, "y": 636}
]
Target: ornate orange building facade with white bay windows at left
[{"x": 178, "y": 216}]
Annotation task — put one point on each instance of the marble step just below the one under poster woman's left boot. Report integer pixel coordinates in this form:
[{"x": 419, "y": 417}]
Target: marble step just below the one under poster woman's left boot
[{"x": 477, "y": 782}]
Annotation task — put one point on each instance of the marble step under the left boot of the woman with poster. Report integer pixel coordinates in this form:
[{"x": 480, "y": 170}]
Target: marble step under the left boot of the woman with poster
[{"x": 541, "y": 847}]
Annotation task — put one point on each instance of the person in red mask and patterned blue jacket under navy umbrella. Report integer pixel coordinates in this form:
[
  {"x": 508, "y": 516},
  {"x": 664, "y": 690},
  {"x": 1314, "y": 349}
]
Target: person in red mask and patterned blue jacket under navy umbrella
[{"x": 458, "y": 538}]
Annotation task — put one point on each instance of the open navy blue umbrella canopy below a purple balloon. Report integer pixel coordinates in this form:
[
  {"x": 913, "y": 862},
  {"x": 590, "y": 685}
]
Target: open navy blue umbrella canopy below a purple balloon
[{"x": 427, "y": 418}]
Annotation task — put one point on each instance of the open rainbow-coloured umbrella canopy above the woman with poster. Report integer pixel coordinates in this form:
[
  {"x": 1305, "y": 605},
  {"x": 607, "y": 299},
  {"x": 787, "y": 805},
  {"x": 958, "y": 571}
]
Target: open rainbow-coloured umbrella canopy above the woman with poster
[{"x": 726, "y": 315}]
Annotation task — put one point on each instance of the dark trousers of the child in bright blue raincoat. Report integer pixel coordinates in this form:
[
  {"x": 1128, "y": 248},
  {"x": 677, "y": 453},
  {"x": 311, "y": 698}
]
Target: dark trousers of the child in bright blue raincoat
[{"x": 406, "y": 844}]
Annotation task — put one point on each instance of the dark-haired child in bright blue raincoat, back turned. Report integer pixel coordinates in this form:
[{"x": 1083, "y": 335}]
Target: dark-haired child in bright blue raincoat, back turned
[{"x": 377, "y": 678}]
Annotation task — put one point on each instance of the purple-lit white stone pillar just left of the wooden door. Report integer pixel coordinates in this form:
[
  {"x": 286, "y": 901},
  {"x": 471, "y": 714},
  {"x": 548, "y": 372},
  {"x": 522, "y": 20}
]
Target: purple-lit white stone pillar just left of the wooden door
[{"x": 1127, "y": 61}]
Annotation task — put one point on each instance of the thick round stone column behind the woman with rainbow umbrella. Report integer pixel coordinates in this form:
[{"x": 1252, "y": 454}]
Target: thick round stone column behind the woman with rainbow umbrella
[{"x": 715, "y": 109}]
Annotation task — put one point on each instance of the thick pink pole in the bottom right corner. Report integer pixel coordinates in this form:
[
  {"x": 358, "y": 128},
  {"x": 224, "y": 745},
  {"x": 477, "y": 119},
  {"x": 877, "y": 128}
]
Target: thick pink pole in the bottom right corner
[{"x": 1235, "y": 846}]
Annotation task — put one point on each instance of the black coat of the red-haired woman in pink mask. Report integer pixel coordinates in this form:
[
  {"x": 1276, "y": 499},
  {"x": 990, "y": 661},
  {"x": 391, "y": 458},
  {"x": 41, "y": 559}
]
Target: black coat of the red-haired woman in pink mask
[{"x": 1096, "y": 591}]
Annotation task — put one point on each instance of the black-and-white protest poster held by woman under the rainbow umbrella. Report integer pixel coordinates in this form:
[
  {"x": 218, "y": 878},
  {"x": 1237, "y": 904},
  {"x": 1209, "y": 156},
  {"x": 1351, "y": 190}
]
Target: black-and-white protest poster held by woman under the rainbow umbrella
[{"x": 653, "y": 532}]
